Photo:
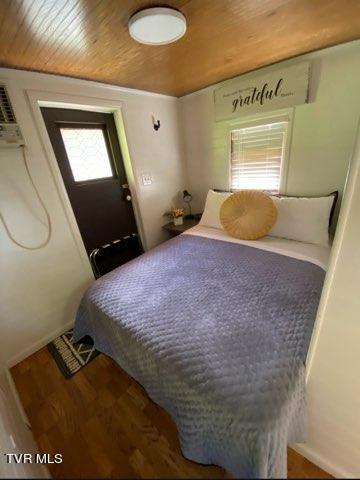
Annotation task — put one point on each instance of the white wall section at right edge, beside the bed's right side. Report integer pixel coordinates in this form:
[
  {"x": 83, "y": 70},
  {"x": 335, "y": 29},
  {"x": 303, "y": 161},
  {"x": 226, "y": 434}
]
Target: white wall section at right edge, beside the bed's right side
[{"x": 334, "y": 364}]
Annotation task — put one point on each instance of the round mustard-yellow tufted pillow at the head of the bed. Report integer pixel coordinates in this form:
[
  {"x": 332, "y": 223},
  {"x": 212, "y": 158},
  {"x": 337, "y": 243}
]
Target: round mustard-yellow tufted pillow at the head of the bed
[{"x": 248, "y": 214}]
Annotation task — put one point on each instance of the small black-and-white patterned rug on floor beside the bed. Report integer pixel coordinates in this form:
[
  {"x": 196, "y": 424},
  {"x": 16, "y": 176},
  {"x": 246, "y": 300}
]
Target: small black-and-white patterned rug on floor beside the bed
[{"x": 70, "y": 357}]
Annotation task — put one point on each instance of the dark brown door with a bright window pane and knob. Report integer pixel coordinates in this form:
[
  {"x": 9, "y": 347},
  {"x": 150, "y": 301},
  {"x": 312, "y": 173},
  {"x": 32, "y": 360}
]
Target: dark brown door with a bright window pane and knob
[{"x": 89, "y": 157}]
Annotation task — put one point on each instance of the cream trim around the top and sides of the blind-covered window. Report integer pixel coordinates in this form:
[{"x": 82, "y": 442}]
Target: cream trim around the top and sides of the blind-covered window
[{"x": 260, "y": 119}]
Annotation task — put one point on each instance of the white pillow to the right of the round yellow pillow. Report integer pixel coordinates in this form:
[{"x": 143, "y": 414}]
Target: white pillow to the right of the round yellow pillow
[{"x": 303, "y": 219}]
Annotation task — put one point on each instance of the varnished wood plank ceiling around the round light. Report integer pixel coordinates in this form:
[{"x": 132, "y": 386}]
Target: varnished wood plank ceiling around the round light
[{"x": 89, "y": 39}]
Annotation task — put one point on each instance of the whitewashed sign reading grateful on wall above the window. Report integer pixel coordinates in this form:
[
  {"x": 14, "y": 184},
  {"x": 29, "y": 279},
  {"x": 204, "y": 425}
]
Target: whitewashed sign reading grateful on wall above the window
[{"x": 270, "y": 91}]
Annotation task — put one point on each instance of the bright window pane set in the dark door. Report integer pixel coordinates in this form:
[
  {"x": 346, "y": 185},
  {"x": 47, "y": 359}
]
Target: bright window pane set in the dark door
[{"x": 87, "y": 153}]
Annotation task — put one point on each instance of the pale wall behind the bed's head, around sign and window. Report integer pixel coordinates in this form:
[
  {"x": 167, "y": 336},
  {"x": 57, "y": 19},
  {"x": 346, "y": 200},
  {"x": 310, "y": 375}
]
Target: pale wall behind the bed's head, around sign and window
[{"x": 323, "y": 130}]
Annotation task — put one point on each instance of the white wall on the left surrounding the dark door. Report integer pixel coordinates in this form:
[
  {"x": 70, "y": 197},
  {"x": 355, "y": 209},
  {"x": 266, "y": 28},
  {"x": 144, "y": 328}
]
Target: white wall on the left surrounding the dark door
[{"x": 40, "y": 289}]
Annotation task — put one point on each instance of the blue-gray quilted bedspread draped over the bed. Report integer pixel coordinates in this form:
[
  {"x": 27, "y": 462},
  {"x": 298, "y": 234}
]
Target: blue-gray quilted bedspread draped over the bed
[{"x": 217, "y": 333}]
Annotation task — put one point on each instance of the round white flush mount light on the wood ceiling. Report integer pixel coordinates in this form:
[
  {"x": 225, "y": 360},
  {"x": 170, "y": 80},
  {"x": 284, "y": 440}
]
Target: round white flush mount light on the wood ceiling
[{"x": 157, "y": 26}]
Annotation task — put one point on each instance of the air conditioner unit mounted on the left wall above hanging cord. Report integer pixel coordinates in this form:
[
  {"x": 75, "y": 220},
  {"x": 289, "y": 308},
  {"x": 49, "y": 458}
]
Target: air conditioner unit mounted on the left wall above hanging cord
[{"x": 10, "y": 134}]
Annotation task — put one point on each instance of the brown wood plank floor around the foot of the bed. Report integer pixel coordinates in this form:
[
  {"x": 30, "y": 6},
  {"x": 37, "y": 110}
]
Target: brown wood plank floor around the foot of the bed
[{"x": 104, "y": 425}]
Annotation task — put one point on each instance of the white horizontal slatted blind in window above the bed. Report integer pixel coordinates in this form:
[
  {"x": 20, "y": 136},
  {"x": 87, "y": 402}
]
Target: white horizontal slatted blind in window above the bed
[{"x": 257, "y": 154}]
